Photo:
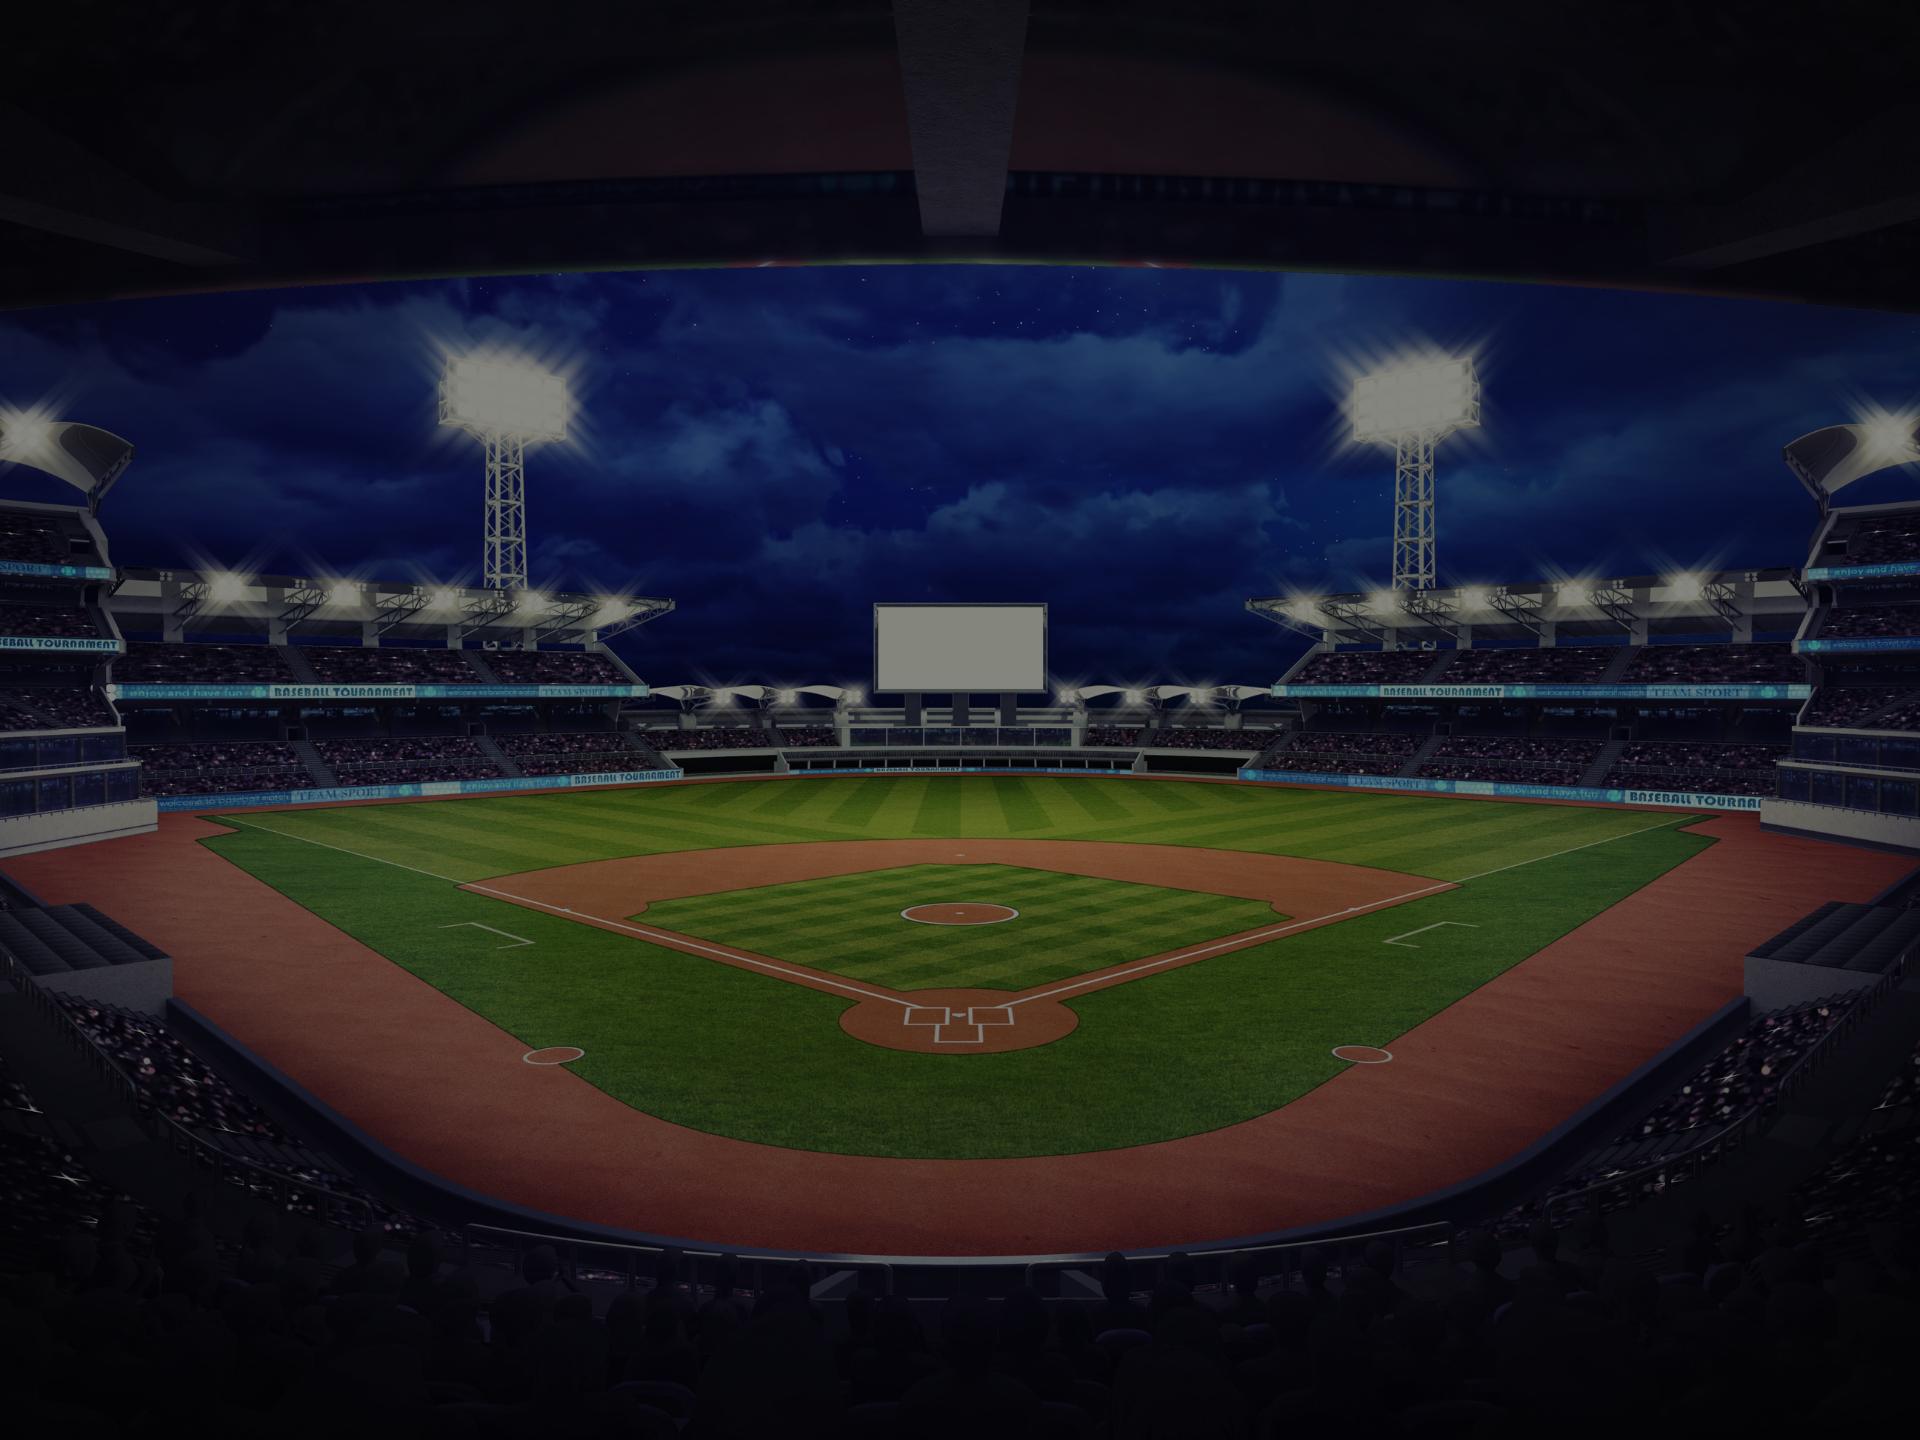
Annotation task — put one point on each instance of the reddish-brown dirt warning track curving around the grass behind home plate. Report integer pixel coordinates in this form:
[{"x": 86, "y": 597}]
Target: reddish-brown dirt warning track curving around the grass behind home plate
[{"x": 450, "y": 1092}]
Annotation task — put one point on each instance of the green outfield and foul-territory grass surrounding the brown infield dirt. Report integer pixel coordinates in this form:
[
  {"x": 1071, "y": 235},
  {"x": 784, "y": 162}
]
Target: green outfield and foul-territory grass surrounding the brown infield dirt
[{"x": 738, "y": 1053}]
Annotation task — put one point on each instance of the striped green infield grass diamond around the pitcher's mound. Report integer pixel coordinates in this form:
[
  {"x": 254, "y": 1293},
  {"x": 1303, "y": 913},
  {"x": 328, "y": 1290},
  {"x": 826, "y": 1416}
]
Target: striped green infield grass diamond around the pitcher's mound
[{"x": 1067, "y": 926}]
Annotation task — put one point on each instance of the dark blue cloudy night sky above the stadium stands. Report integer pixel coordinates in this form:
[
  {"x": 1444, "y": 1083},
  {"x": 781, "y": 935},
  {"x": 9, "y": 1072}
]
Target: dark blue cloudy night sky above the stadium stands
[{"x": 780, "y": 448}]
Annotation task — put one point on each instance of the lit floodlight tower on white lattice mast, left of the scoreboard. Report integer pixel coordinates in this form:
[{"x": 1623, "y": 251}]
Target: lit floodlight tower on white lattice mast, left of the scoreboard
[{"x": 506, "y": 404}]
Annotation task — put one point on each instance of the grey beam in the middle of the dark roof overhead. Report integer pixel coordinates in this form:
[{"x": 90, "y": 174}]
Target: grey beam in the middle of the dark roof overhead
[{"x": 961, "y": 70}]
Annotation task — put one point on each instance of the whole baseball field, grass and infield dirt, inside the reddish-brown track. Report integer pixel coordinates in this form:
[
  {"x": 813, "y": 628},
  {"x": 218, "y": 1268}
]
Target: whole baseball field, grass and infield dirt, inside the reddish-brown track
[{"x": 957, "y": 969}]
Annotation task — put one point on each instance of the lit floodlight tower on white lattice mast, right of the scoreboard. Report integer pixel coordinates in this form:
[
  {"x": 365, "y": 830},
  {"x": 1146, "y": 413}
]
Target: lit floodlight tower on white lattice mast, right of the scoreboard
[{"x": 1414, "y": 408}]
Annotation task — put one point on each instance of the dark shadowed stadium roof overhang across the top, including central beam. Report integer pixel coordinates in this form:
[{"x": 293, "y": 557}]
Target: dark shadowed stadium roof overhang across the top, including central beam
[{"x": 1712, "y": 147}]
